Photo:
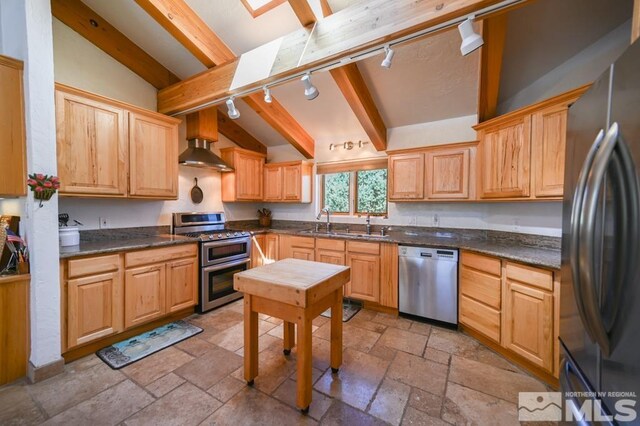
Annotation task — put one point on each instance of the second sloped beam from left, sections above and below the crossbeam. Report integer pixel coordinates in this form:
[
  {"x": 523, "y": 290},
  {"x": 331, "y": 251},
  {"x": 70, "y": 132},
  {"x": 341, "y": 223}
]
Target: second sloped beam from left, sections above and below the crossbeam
[{"x": 188, "y": 28}]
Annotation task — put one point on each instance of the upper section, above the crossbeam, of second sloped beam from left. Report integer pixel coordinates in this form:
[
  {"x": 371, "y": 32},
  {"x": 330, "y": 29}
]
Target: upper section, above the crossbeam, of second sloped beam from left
[{"x": 189, "y": 29}]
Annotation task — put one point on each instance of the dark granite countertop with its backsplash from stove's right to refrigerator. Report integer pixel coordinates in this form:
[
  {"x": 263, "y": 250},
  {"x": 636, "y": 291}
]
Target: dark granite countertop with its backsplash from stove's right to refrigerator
[{"x": 535, "y": 250}]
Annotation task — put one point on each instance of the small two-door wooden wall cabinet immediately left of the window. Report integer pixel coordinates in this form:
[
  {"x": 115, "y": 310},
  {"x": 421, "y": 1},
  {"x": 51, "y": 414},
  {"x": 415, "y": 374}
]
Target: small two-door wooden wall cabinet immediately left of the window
[{"x": 288, "y": 182}]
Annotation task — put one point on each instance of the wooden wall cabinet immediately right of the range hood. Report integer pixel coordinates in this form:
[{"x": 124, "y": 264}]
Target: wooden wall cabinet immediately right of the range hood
[{"x": 245, "y": 183}]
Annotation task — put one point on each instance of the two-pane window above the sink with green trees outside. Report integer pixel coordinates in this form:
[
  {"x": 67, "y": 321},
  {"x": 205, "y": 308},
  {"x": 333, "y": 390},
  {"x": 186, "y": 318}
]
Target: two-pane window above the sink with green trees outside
[{"x": 358, "y": 192}]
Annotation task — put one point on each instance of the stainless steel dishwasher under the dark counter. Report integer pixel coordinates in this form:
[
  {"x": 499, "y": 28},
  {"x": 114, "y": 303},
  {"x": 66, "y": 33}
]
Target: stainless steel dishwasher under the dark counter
[{"x": 428, "y": 280}]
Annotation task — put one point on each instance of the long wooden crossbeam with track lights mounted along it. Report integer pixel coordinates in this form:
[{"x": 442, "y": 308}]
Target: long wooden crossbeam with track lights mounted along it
[{"x": 349, "y": 32}]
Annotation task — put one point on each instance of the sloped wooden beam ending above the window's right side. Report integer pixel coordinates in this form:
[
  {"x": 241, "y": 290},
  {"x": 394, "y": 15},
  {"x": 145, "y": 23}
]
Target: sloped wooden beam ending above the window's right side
[{"x": 357, "y": 94}]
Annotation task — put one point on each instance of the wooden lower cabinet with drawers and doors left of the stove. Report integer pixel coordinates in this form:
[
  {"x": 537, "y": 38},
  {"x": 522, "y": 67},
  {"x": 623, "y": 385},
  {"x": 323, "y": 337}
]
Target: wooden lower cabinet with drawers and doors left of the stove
[{"x": 105, "y": 295}]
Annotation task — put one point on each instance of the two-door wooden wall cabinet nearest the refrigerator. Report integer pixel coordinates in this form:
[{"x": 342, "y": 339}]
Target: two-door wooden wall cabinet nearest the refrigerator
[{"x": 522, "y": 154}]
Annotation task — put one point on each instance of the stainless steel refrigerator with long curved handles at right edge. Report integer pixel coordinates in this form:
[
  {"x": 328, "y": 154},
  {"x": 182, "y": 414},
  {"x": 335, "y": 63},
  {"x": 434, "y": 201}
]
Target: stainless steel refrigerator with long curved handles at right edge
[{"x": 600, "y": 293}]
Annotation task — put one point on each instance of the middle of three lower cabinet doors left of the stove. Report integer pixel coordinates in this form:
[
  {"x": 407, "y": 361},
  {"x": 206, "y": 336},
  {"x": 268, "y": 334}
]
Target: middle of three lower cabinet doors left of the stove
[{"x": 144, "y": 294}]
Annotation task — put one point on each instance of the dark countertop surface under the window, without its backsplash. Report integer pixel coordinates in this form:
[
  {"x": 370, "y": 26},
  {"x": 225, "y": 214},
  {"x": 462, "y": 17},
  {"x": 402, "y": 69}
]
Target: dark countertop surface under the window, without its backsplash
[{"x": 502, "y": 251}]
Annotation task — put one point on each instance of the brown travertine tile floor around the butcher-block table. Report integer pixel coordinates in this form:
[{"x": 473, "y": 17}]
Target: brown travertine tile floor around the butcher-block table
[{"x": 395, "y": 371}]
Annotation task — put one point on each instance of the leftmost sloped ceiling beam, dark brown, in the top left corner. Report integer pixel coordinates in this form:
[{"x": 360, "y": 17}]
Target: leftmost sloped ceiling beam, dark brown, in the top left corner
[{"x": 80, "y": 18}]
